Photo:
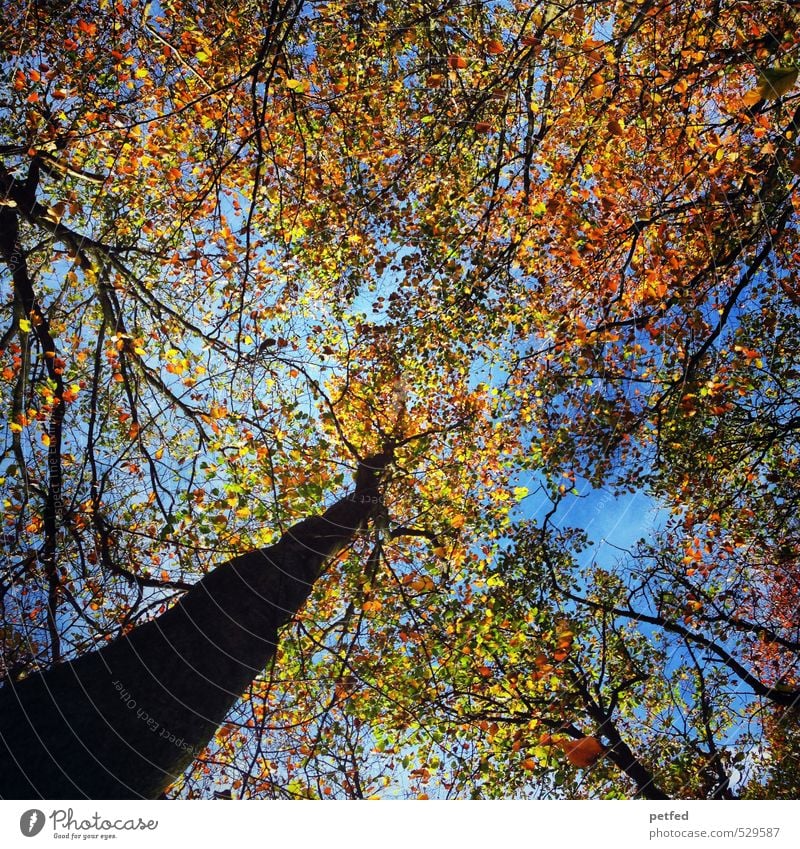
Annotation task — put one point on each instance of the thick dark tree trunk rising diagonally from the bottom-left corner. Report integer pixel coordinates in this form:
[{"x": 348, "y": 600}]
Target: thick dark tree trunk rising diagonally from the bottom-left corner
[{"x": 124, "y": 721}]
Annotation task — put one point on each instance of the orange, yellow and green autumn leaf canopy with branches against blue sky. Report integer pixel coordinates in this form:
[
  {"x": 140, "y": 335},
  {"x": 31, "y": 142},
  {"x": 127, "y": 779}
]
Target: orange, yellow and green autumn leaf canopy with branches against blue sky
[{"x": 544, "y": 252}]
